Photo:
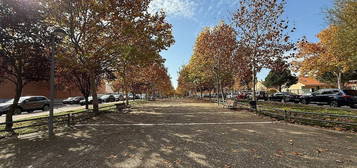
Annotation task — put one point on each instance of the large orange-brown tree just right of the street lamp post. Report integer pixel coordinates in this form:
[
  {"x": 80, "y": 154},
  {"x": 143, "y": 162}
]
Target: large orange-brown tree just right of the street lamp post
[{"x": 107, "y": 36}]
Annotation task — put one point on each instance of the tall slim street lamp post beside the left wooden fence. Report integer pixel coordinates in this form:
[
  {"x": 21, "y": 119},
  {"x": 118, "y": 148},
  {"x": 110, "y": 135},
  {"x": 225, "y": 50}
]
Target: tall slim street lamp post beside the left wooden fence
[{"x": 54, "y": 34}]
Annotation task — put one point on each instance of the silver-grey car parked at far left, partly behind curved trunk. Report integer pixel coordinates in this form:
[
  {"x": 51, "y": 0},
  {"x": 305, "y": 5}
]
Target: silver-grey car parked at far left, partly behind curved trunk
[{"x": 26, "y": 103}]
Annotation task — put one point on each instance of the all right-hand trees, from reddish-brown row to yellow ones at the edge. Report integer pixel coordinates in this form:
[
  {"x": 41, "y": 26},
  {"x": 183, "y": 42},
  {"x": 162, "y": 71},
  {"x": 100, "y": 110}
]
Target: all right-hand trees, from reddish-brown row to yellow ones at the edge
[{"x": 259, "y": 38}]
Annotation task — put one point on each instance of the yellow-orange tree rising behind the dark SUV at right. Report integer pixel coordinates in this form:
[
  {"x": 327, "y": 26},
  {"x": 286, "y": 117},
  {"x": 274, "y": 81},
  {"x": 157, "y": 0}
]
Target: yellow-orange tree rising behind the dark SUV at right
[{"x": 324, "y": 56}]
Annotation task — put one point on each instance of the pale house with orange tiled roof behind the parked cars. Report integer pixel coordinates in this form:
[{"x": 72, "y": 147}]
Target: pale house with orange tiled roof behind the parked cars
[{"x": 307, "y": 85}]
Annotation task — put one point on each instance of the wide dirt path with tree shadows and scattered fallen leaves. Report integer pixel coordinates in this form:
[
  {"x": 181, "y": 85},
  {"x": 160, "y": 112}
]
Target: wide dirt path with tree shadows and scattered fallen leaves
[{"x": 182, "y": 133}]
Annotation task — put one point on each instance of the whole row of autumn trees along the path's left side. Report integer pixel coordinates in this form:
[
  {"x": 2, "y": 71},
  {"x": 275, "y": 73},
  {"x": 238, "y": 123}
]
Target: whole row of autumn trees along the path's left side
[{"x": 112, "y": 40}]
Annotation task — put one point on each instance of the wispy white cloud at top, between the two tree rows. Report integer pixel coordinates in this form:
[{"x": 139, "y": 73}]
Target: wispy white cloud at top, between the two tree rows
[{"x": 178, "y": 8}]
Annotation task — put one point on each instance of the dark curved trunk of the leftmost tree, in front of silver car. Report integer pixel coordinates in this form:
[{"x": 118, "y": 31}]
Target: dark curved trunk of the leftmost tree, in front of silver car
[{"x": 11, "y": 111}]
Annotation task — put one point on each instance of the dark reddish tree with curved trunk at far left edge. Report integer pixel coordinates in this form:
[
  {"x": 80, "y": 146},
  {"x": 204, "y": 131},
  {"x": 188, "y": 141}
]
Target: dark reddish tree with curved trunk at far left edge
[{"x": 23, "y": 50}]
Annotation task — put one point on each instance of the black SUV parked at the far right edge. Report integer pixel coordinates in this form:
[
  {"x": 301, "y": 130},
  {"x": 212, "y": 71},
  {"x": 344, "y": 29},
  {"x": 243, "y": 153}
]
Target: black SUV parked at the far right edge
[{"x": 332, "y": 97}]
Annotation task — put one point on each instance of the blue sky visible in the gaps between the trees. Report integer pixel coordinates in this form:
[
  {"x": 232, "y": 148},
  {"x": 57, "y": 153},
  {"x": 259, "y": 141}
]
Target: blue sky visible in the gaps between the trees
[{"x": 189, "y": 17}]
